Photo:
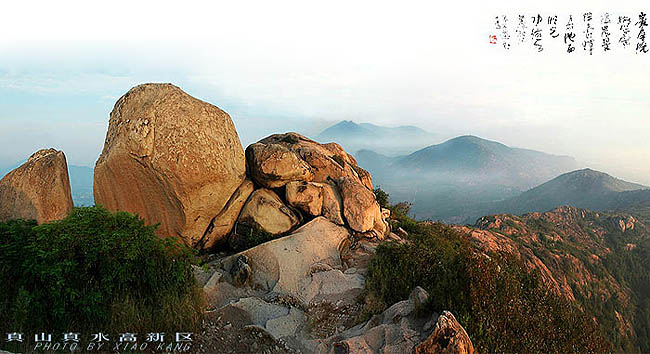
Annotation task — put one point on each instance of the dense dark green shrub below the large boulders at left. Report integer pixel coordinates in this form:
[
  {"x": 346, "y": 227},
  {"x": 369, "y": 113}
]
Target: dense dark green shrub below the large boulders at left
[{"x": 95, "y": 270}]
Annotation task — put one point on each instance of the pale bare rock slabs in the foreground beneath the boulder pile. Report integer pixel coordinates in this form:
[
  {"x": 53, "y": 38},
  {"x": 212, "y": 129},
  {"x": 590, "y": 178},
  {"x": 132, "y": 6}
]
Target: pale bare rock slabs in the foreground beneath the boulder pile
[{"x": 297, "y": 294}]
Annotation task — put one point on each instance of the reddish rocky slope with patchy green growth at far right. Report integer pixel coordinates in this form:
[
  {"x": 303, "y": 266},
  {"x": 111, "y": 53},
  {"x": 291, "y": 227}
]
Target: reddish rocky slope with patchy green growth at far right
[{"x": 579, "y": 254}]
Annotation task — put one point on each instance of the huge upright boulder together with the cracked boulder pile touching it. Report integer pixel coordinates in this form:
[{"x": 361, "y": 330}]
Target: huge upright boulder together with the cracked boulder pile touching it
[{"x": 177, "y": 161}]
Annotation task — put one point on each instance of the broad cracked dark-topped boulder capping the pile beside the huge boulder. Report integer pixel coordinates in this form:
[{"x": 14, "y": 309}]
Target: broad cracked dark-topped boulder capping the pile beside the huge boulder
[{"x": 281, "y": 158}]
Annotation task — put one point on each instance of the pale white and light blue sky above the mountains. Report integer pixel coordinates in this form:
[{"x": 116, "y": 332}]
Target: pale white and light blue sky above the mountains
[{"x": 300, "y": 65}]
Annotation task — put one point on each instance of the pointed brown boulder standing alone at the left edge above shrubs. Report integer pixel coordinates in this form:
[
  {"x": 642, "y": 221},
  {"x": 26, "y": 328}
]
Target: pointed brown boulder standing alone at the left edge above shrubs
[{"x": 39, "y": 189}]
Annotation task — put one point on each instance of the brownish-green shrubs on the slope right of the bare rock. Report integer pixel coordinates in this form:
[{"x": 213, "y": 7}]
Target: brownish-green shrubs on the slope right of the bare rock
[{"x": 503, "y": 306}]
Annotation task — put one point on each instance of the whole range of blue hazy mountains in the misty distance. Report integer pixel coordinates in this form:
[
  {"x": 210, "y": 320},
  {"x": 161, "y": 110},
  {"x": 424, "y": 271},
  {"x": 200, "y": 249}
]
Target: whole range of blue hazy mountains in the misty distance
[{"x": 467, "y": 177}]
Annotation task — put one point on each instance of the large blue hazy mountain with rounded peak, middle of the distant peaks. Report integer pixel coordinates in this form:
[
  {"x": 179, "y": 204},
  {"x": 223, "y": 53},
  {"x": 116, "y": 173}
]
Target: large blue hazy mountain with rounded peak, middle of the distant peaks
[{"x": 451, "y": 181}]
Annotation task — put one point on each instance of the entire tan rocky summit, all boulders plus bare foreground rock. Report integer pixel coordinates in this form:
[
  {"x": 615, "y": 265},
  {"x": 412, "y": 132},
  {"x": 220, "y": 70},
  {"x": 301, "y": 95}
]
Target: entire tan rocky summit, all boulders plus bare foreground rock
[{"x": 287, "y": 228}]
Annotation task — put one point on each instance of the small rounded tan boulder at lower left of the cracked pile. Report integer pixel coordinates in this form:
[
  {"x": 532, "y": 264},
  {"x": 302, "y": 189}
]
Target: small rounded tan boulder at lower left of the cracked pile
[{"x": 265, "y": 209}]
